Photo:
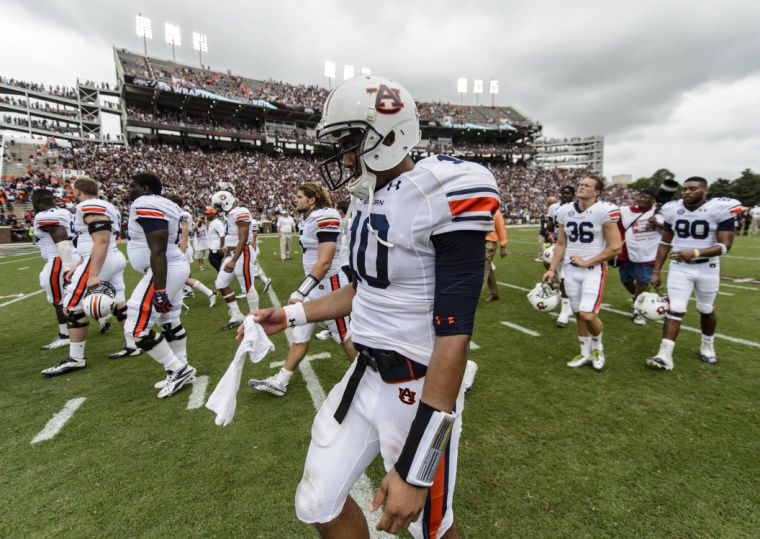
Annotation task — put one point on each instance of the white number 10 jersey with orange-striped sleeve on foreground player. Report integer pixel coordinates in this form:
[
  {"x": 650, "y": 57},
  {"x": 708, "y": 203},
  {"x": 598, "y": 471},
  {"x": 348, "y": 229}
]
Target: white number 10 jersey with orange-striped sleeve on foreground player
[{"x": 395, "y": 286}]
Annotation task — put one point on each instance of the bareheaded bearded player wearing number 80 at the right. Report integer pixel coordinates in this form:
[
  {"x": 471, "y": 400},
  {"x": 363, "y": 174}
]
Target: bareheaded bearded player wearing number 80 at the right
[{"x": 698, "y": 231}]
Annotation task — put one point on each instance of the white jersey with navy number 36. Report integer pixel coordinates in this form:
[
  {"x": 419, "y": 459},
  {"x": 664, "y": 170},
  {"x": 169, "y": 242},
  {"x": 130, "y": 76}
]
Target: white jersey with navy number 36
[{"x": 585, "y": 229}]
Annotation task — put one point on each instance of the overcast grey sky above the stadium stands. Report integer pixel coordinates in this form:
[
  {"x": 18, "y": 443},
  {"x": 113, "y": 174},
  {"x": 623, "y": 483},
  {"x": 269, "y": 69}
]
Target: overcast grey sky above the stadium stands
[{"x": 672, "y": 84}]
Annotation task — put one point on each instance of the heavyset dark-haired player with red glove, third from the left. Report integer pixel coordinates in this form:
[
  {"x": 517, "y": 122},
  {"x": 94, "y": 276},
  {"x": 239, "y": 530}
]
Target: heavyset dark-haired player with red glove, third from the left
[{"x": 153, "y": 249}]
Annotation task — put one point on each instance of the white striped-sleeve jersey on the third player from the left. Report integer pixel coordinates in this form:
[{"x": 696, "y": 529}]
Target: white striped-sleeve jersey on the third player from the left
[{"x": 153, "y": 207}]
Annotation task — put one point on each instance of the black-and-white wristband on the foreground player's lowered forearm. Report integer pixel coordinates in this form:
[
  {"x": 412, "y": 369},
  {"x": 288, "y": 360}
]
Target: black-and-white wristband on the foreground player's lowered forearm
[{"x": 425, "y": 444}]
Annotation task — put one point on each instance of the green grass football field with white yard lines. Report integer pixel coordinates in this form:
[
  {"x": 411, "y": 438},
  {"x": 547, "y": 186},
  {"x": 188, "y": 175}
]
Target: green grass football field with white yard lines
[{"x": 546, "y": 450}]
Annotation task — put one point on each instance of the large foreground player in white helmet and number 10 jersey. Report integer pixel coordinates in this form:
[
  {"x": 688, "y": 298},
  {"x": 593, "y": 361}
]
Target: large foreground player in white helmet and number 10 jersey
[{"x": 417, "y": 246}]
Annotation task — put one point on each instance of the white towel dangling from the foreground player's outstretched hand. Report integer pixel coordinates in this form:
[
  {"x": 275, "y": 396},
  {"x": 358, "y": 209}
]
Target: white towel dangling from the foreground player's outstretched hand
[{"x": 224, "y": 398}]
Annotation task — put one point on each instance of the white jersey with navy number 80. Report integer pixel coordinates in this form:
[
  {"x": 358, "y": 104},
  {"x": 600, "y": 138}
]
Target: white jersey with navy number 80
[{"x": 699, "y": 228}]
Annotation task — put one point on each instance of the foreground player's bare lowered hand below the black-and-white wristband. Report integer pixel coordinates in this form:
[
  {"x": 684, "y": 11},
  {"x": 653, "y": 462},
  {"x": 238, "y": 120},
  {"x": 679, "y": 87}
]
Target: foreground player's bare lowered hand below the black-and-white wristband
[{"x": 403, "y": 503}]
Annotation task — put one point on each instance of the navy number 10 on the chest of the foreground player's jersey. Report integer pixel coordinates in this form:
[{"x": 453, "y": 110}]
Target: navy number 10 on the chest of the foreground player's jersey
[{"x": 367, "y": 242}]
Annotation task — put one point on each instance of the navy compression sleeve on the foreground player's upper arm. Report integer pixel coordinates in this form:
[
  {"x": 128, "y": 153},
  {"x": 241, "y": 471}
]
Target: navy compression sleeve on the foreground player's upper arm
[{"x": 459, "y": 264}]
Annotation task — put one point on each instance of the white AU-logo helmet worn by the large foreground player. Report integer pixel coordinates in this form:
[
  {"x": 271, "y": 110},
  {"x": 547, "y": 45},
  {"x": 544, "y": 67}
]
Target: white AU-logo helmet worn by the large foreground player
[{"x": 374, "y": 107}]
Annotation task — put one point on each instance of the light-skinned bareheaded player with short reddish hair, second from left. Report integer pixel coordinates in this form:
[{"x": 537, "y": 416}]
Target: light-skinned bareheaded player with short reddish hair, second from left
[{"x": 97, "y": 224}]
